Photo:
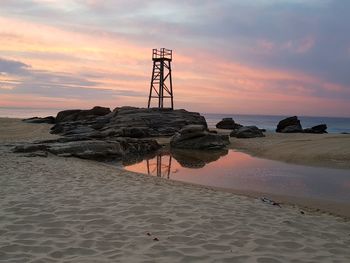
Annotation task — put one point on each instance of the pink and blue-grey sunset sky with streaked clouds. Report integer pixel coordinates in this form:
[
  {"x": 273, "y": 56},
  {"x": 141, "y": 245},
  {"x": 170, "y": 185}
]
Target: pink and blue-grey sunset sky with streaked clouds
[{"x": 278, "y": 57}]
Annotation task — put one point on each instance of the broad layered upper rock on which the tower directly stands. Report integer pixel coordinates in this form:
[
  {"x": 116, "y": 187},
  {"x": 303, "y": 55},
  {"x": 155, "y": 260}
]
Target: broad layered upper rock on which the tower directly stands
[{"x": 131, "y": 122}]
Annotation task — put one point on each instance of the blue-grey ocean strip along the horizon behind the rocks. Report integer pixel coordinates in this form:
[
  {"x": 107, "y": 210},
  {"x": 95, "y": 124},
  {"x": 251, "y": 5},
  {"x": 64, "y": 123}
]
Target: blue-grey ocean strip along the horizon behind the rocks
[{"x": 268, "y": 122}]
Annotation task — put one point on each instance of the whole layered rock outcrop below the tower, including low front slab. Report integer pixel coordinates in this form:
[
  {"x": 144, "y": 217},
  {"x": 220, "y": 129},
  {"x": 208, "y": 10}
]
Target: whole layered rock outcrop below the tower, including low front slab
[{"x": 101, "y": 134}]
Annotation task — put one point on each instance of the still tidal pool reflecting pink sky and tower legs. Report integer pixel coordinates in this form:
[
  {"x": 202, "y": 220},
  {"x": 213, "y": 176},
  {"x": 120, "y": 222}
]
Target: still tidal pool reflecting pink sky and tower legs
[{"x": 239, "y": 171}]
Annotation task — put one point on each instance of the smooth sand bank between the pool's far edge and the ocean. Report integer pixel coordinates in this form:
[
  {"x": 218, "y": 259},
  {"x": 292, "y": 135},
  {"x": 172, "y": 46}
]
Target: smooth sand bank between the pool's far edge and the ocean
[{"x": 327, "y": 150}]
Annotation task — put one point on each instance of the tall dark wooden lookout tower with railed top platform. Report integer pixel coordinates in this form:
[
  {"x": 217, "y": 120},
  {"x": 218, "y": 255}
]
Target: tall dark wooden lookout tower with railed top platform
[{"x": 161, "y": 82}]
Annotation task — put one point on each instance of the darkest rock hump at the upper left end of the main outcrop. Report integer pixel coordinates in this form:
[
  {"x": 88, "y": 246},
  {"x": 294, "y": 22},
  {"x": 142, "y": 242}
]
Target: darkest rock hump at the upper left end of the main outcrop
[{"x": 76, "y": 115}]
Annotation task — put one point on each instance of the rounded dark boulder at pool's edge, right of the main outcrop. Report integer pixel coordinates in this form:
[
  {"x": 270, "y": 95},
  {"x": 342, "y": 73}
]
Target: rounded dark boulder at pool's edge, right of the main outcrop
[{"x": 197, "y": 137}]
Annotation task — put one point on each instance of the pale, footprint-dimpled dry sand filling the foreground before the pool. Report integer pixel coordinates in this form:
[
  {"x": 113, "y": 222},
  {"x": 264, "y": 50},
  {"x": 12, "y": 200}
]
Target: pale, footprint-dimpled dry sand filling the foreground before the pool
[{"x": 69, "y": 210}]
